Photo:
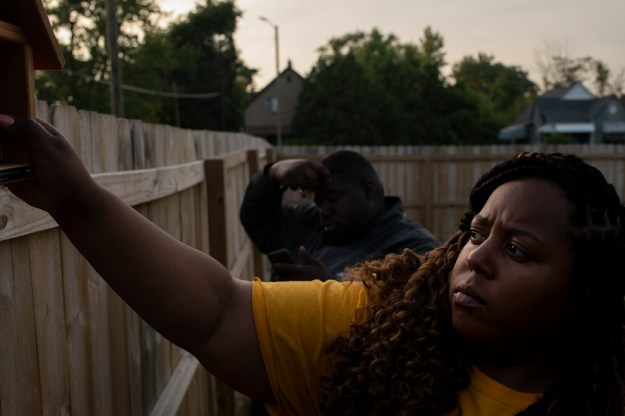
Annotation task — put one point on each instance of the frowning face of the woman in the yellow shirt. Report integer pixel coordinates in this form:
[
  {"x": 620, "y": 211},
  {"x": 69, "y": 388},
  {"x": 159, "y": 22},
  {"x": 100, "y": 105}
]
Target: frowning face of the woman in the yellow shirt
[{"x": 510, "y": 288}]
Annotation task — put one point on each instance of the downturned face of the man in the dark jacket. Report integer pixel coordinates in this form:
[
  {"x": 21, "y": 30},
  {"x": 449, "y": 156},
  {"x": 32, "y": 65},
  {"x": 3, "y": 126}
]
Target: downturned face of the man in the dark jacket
[{"x": 344, "y": 209}]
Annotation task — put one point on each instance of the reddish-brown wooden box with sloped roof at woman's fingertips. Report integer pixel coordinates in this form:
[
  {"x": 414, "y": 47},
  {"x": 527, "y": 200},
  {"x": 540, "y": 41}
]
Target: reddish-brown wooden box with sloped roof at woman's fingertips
[{"x": 27, "y": 43}]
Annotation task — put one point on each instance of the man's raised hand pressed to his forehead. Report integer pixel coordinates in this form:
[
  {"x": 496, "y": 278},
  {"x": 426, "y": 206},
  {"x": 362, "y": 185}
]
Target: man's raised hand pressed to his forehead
[{"x": 299, "y": 173}]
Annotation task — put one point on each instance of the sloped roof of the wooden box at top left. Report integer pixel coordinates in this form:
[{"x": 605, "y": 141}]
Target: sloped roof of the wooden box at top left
[{"x": 31, "y": 18}]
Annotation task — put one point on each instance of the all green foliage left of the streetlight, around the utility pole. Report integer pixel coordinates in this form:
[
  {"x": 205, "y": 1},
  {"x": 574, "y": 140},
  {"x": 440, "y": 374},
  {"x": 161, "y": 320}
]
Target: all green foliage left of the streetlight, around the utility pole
[{"x": 195, "y": 56}]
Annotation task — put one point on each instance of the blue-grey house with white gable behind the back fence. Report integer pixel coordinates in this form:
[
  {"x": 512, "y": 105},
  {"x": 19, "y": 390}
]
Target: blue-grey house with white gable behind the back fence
[{"x": 571, "y": 113}]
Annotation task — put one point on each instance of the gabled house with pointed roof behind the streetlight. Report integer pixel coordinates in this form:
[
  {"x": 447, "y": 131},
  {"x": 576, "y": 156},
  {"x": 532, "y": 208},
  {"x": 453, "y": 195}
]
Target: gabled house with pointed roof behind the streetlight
[{"x": 261, "y": 113}]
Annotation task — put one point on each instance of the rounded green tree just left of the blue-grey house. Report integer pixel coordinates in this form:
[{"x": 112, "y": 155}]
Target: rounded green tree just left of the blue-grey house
[{"x": 506, "y": 90}]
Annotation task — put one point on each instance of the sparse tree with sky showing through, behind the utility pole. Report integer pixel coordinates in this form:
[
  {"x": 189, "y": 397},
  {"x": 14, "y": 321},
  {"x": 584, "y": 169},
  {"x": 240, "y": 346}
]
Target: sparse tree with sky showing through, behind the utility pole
[{"x": 80, "y": 26}]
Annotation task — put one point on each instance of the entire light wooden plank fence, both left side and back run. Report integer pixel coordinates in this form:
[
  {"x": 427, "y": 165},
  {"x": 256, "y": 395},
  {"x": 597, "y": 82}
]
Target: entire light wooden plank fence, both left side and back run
[{"x": 70, "y": 346}]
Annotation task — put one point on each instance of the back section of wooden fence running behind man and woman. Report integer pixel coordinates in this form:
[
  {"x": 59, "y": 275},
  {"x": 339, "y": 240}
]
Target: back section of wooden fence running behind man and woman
[{"x": 435, "y": 181}]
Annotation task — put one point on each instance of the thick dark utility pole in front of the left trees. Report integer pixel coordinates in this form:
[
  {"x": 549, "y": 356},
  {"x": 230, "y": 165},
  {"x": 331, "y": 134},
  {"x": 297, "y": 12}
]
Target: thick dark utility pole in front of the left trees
[{"x": 112, "y": 34}]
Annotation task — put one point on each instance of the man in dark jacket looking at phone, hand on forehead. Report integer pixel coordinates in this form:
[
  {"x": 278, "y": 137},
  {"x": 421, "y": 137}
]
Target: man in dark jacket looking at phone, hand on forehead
[{"x": 350, "y": 221}]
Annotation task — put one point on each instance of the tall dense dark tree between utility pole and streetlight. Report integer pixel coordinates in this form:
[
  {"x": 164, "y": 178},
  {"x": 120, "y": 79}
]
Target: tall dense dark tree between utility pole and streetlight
[{"x": 203, "y": 58}]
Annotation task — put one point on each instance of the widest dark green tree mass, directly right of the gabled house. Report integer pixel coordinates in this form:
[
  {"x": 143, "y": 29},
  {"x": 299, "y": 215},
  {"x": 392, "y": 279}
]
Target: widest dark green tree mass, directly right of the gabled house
[{"x": 370, "y": 89}]
